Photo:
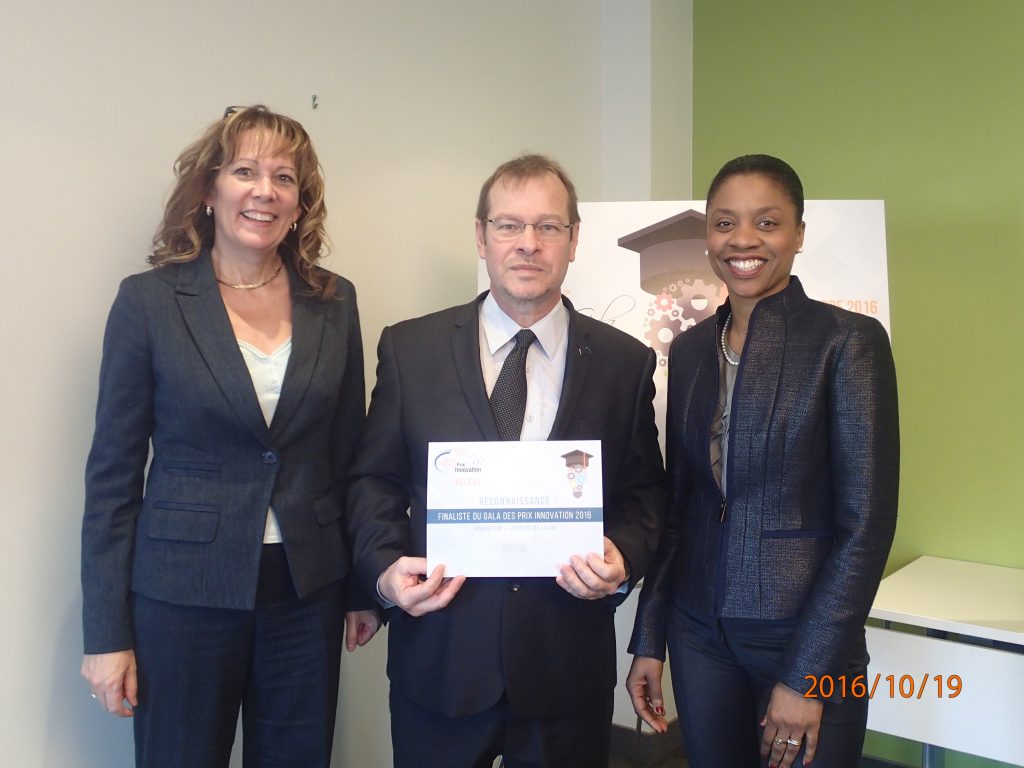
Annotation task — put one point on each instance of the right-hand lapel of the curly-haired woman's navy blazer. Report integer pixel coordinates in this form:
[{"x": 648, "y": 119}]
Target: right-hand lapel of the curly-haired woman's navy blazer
[{"x": 308, "y": 333}]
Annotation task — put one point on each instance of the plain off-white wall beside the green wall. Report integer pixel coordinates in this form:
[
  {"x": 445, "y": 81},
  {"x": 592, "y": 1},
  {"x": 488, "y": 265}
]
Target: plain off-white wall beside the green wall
[{"x": 418, "y": 103}]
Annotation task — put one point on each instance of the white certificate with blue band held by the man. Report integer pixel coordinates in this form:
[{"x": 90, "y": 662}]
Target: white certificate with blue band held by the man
[{"x": 514, "y": 508}]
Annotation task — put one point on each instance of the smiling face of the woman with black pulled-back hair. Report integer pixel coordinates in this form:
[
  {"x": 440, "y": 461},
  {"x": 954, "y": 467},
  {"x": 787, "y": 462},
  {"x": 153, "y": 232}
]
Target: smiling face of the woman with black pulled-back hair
[{"x": 753, "y": 237}]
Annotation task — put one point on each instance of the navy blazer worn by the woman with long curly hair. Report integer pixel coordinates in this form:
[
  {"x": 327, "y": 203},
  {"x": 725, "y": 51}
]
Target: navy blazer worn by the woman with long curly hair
[{"x": 173, "y": 374}]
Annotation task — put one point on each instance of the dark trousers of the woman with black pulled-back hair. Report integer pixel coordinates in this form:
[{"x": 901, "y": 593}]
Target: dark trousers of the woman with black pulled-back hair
[{"x": 723, "y": 672}]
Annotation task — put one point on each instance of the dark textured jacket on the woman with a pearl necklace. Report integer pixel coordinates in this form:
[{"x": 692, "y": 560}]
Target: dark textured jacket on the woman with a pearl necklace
[{"x": 814, "y": 476}]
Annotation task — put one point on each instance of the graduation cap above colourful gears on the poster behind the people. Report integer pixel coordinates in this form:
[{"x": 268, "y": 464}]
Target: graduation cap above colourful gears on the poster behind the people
[{"x": 674, "y": 270}]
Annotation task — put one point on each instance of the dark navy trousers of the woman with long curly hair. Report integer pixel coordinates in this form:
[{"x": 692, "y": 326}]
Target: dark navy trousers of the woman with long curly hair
[{"x": 279, "y": 664}]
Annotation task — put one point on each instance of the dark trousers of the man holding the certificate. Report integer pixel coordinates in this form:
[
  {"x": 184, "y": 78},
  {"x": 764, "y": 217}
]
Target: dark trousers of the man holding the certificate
[{"x": 426, "y": 740}]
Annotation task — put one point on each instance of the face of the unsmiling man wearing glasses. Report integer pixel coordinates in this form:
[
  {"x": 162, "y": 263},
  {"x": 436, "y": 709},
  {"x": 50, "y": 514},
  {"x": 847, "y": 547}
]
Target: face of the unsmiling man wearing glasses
[{"x": 527, "y": 272}]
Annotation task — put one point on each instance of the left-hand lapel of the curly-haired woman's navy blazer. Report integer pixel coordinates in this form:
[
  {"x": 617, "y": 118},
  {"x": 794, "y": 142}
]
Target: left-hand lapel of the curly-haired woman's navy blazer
[{"x": 204, "y": 314}]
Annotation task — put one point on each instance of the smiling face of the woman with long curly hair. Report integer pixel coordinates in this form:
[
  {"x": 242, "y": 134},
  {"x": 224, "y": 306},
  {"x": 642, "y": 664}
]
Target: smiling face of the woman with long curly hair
[{"x": 255, "y": 199}]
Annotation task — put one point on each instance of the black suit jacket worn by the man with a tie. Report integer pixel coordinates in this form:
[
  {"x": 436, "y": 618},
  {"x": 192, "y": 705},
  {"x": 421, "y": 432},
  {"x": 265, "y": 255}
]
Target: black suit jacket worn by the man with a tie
[{"x": 551, "y": 653}]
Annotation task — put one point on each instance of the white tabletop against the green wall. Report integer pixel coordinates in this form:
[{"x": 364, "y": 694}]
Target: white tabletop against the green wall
[{"x": 968, "y": 599}]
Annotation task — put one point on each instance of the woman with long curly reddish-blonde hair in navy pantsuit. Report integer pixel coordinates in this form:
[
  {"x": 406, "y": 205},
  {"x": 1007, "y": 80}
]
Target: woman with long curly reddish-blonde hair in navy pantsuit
[{"x": 217, "y": 578}]
